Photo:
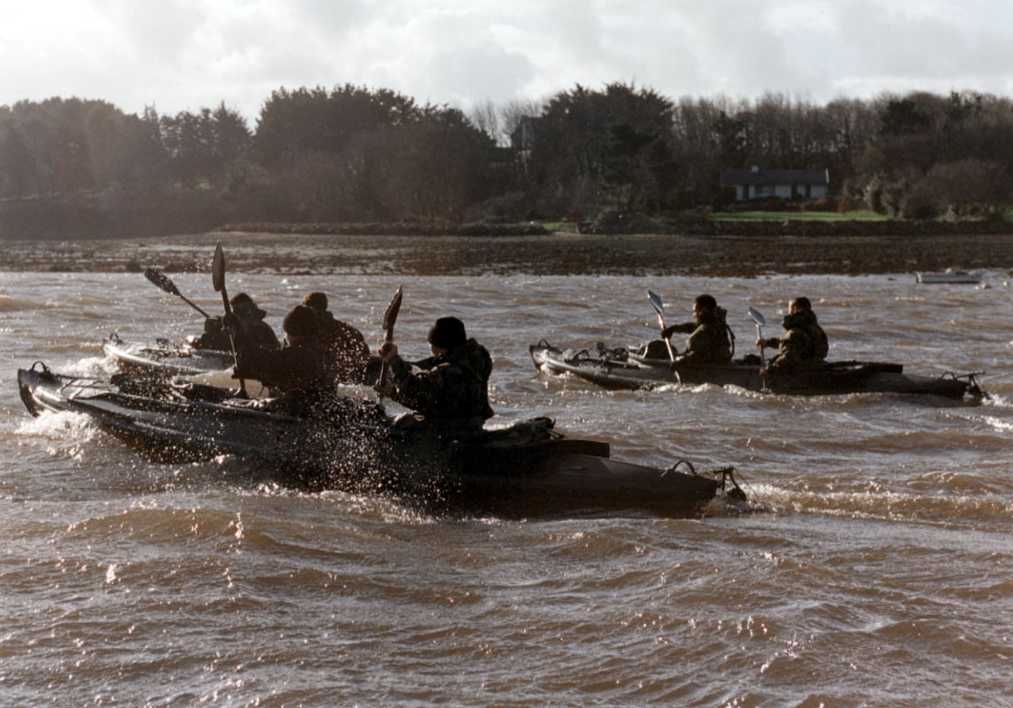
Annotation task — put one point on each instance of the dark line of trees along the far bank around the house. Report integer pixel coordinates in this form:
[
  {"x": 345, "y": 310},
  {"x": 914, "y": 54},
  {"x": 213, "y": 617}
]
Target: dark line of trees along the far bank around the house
[{"x": 356, "y": 154}]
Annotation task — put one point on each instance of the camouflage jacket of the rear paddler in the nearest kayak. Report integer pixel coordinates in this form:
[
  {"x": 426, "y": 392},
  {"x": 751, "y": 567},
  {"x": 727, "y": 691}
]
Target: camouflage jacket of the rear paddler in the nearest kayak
[{"x": 452, "y": 388}]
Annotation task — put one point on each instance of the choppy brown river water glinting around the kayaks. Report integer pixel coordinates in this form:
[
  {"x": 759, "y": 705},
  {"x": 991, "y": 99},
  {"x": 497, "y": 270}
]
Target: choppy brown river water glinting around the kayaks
[{"x": 876, "y": 569}]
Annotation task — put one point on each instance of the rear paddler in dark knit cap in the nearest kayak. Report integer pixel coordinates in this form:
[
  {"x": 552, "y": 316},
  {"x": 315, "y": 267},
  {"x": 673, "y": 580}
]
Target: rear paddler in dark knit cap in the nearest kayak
[{"x": 450, "y": 391}]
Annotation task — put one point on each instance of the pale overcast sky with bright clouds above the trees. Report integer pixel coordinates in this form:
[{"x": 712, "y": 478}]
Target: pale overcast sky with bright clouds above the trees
[{"x": 188, "y": 54}]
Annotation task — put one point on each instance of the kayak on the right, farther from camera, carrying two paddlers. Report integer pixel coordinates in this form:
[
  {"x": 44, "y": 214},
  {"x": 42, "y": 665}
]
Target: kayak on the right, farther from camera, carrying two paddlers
[{"x": 631, "y": 370}]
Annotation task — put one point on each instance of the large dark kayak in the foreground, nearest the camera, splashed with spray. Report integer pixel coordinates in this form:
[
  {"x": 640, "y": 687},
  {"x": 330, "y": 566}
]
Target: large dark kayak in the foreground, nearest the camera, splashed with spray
[{"x": 526, "y": 469}]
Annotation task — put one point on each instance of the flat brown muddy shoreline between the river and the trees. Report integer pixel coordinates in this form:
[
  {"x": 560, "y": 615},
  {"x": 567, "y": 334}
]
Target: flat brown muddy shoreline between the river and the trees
[{"x": 554, "y": 255}]
